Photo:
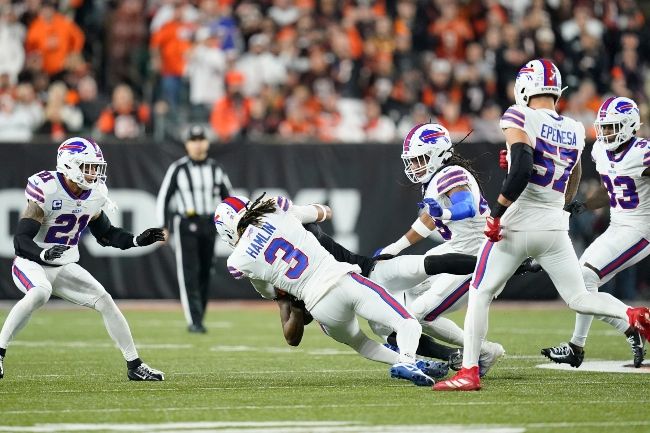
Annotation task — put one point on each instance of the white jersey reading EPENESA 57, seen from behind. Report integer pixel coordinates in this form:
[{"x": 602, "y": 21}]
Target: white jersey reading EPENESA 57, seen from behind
[{"x": 558, "y": 143}]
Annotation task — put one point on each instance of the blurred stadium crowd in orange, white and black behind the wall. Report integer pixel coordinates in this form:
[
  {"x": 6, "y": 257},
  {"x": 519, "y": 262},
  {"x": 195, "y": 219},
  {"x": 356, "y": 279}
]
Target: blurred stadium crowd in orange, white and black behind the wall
[{"x": 304, "y": 70}]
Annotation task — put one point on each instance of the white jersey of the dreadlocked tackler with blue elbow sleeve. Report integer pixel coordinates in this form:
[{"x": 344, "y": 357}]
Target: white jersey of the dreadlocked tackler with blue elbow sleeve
[{"x": 466, "y": 235}]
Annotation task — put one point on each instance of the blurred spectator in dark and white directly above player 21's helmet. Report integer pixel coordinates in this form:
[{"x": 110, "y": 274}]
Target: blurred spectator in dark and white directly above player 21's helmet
[{"x": 61, "y": 117}]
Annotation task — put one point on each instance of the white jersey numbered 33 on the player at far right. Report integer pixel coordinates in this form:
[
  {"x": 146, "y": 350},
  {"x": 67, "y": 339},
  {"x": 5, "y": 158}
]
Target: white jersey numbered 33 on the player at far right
[{"x": 622, "y": 176}]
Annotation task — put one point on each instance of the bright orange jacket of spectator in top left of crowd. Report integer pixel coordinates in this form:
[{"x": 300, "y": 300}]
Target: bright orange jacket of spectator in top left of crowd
[{"x": 54, "y": 41}]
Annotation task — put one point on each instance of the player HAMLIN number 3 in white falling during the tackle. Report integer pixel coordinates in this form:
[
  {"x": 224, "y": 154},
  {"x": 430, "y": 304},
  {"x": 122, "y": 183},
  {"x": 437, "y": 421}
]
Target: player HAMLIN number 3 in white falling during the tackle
[{"x": 272, "y": 249}]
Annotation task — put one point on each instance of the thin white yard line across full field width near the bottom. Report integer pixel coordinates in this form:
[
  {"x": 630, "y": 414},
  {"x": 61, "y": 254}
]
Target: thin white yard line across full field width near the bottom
[{"x": 424, "y": 404}]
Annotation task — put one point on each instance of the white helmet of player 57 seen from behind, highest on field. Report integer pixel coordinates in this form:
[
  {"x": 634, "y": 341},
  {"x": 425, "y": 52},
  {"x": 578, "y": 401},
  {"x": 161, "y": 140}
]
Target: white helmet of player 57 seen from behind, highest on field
[{"x": 537, "y": 77}]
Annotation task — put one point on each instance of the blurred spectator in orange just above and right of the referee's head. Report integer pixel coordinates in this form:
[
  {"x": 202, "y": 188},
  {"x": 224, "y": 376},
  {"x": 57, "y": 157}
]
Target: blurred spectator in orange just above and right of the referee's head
[{"x": 231, "y": 114}]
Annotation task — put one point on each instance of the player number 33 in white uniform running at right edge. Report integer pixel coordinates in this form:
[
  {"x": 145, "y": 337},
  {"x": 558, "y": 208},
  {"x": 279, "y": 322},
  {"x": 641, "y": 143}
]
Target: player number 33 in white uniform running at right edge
[{"x": 623, "y": 163}]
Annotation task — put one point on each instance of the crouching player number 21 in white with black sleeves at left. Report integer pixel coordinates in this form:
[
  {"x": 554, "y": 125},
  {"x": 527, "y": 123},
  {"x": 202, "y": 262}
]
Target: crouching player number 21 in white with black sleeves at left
[{"x": 60, "y": 205}]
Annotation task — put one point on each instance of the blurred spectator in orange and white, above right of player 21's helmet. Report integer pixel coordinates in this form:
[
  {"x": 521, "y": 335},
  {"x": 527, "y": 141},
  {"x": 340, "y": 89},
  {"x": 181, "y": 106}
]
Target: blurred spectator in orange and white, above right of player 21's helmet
[{"x": 124, "y": 118}]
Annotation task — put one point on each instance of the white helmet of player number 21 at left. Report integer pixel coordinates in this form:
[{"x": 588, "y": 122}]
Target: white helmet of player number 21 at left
[{"x": 82, "y": 161}]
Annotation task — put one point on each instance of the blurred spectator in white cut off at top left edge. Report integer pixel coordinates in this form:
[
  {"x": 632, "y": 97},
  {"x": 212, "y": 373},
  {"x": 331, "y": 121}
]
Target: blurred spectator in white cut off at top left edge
[{"x": 12, "y": 51}]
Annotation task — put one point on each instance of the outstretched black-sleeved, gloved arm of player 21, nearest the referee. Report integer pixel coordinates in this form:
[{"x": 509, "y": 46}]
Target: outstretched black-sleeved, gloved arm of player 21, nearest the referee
[{"x": 108, "y": 235}]
